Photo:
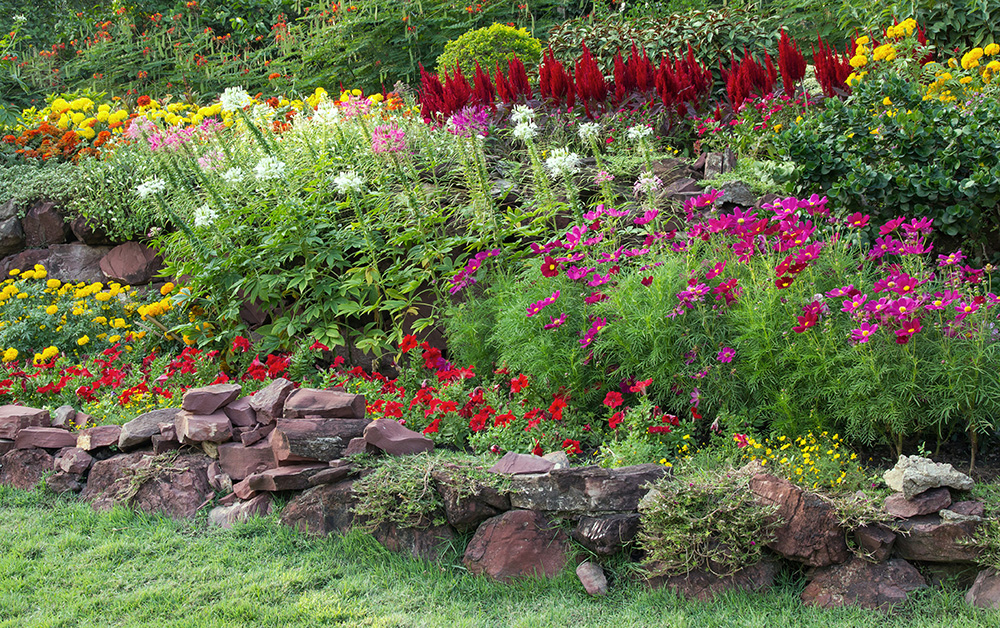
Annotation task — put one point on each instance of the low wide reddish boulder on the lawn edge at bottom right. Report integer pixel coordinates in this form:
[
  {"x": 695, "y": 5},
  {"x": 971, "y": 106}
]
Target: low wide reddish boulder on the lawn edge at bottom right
[{"x": 860, "y": 583}]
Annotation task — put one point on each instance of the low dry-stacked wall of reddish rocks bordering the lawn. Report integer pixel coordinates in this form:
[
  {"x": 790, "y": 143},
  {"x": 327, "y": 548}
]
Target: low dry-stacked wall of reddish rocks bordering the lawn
[{"x": 297, "y": 442}]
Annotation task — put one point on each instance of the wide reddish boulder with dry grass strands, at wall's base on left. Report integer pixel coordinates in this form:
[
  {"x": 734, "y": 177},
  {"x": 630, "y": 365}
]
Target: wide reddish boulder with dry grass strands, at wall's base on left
[{"x": 176, "y": 486}]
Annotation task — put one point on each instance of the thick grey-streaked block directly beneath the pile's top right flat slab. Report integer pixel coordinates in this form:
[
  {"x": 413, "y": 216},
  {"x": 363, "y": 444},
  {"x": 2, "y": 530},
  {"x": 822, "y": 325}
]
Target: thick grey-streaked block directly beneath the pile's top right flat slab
[{"x": 317, "y": 439}]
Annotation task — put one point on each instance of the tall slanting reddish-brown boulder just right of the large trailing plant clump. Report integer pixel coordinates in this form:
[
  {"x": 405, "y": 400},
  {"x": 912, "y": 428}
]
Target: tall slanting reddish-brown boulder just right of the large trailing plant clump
[{"x": 809, "y": 531}]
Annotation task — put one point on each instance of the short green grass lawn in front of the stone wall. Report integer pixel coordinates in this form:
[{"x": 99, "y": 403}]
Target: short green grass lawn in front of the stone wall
[{"x": 61, "y": 564}]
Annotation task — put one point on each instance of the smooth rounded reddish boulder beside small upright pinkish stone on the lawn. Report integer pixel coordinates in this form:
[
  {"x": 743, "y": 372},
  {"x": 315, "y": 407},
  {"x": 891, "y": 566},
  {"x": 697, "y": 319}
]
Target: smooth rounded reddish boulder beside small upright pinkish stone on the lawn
[{"x": 517, "y": 544}]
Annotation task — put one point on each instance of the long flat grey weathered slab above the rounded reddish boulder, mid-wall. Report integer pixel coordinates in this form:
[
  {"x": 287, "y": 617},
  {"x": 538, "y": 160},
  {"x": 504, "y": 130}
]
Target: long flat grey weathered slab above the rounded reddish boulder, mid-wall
[{"x": 586, "y": 490}]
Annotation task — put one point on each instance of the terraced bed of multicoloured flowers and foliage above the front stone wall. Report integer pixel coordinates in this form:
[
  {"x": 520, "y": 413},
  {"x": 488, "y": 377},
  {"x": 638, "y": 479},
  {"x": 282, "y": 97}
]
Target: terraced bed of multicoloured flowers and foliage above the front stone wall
[{"x": 700, "y": 255}]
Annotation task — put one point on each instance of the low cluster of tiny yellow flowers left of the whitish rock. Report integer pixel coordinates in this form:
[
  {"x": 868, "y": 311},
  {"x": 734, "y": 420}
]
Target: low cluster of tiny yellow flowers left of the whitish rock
[{"x": 810, "y": 460}]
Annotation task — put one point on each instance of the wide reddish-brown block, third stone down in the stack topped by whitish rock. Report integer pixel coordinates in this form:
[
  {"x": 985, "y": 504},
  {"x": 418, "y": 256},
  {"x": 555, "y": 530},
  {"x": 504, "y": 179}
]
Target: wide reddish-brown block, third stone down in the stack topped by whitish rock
[{"x": 930, "y": 539}]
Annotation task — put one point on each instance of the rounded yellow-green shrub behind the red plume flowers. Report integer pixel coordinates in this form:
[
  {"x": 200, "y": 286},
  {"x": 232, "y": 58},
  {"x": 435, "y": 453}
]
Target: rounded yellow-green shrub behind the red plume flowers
[{"x": 490, "y": 46}]
